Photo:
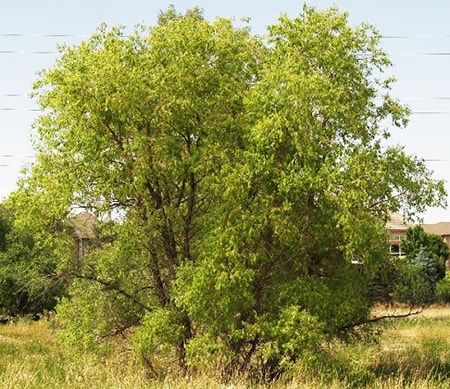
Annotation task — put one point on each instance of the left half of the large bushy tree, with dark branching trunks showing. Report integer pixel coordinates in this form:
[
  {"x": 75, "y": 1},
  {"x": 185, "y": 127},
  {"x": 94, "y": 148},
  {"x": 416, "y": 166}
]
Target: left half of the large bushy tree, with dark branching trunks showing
[{"x": 137, "y": 129}]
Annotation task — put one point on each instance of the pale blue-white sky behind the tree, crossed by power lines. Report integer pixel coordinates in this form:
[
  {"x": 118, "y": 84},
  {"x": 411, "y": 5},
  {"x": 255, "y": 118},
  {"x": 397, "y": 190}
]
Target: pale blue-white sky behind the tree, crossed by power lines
[{"x": 416, "y": 35}]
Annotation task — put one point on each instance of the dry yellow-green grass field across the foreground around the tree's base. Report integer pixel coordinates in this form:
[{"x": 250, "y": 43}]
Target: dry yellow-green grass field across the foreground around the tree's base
[{"x": 412, "y": 353}]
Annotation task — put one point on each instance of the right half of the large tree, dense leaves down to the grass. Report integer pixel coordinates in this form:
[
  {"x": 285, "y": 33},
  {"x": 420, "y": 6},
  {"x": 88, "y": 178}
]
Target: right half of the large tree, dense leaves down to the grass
[{"x": 309, "y": 197}]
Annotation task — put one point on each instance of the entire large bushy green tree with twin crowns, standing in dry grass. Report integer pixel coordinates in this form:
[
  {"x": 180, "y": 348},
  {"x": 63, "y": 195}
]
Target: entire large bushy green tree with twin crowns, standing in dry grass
[{"x": 241, "y": 184}]
